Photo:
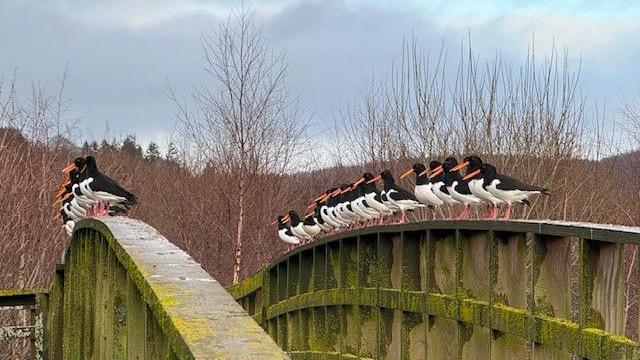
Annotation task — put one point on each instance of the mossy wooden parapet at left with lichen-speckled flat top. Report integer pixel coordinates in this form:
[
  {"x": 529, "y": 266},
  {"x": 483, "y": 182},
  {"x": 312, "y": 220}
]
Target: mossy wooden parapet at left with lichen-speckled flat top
[{"x": 125, "y": 292}]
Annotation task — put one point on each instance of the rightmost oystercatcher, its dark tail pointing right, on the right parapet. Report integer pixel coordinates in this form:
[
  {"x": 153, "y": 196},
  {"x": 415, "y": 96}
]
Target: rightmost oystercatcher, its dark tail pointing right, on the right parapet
[{"x": 508, "y": 189}]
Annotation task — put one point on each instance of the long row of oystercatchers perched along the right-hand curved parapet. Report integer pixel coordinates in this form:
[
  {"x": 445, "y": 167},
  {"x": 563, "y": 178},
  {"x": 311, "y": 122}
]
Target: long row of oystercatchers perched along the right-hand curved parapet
[{"x": 361, "y": 203}]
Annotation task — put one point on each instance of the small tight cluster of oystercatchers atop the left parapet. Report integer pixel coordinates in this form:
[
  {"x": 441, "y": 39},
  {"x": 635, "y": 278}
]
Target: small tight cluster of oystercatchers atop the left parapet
[{"x": 89, "y": 193}]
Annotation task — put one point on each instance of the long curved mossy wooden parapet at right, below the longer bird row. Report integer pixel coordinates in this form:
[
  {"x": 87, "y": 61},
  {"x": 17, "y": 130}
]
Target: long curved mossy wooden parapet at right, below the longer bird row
[{"x": 452, "y": 290}]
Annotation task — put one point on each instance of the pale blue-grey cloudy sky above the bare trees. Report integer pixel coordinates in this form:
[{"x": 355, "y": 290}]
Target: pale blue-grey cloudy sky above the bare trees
[{"x": 122, "y": 54}]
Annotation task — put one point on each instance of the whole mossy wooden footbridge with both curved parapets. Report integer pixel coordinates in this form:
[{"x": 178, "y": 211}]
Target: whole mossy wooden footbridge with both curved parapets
[{"x": 430, "y": 290}]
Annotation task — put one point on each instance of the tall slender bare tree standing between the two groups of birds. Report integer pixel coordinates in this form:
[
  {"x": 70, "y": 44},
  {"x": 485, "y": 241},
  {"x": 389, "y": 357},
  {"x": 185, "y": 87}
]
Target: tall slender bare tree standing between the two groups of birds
[{"x": 244, "y": 120}]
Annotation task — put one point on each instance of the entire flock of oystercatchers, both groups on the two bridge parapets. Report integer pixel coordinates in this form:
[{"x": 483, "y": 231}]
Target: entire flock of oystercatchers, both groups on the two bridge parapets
[{"x": 89, "y": 193}]
